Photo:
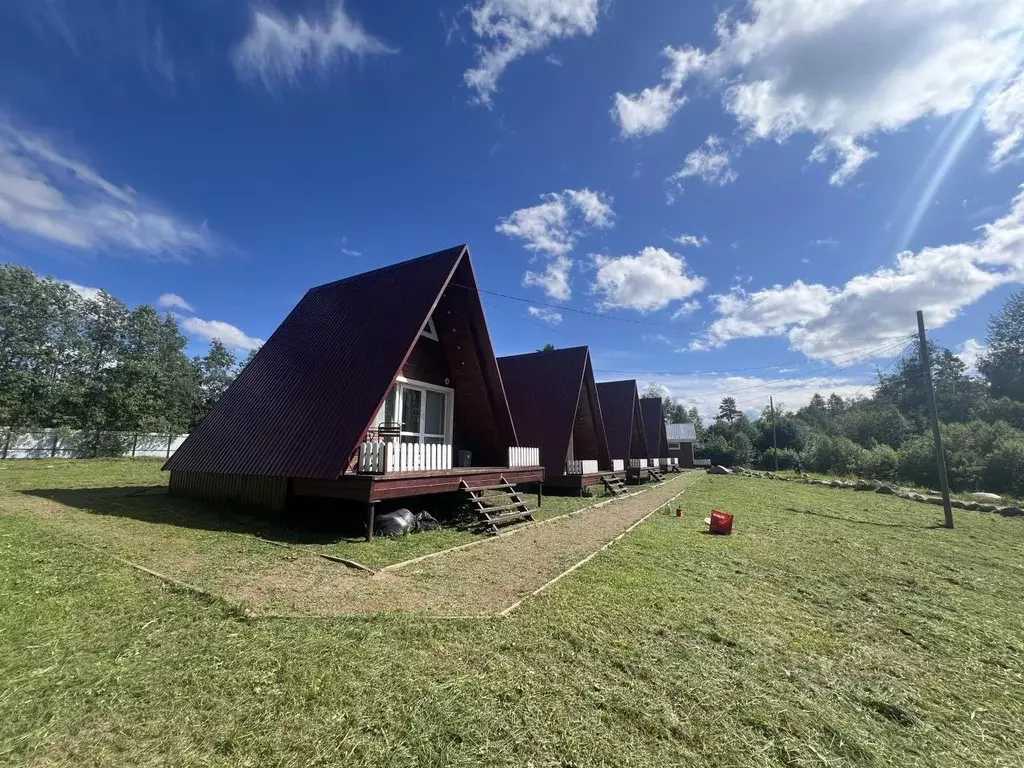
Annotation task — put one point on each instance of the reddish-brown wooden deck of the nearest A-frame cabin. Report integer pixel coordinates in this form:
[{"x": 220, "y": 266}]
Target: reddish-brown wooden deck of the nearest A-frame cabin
[{"x": 373, "y": 489}]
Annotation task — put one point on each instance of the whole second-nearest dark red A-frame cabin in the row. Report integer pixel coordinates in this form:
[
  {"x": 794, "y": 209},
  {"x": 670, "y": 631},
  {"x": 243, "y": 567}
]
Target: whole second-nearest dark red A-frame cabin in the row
[{"x": 556, "y": 405}]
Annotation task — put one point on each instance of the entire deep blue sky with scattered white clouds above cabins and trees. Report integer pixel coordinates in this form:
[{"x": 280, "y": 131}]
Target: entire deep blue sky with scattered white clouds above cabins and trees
[{"x": 733, "y": 184}]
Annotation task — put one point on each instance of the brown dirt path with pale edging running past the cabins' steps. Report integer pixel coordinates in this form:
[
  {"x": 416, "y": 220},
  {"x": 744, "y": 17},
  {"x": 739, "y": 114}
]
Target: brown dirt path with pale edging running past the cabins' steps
[{"x": 472, "y": 582}]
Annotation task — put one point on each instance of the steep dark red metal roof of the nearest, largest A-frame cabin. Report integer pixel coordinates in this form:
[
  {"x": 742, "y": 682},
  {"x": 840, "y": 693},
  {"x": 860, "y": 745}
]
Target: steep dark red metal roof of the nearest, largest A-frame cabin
[{"x": 304, "y": 404}]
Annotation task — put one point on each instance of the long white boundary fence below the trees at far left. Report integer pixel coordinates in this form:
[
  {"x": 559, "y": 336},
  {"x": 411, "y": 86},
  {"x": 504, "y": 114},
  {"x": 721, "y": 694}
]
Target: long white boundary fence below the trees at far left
[{"x": 56, "y": 444}]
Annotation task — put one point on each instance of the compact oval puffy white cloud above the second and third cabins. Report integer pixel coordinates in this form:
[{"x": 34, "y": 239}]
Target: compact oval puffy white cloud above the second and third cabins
[{"x": 649, "y": 281}]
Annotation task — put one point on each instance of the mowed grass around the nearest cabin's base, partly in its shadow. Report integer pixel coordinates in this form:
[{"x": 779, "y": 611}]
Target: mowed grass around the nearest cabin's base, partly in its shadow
[{"x": 94, "y": 499}]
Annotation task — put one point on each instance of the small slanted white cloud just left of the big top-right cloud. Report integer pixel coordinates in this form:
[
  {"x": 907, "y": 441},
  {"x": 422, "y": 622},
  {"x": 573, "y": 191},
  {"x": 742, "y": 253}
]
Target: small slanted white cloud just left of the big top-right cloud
[{"x": 651, "y": 110}]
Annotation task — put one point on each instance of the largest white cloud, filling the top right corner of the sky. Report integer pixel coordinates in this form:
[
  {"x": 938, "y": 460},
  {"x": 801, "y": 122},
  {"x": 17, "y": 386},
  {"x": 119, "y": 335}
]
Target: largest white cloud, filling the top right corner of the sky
[{"x": 847, "y": 70}]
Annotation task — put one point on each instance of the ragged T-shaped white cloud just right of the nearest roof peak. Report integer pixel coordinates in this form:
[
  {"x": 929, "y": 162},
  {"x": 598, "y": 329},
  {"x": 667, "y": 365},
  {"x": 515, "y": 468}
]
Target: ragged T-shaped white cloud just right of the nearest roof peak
[{"x": 552, "y": 230}]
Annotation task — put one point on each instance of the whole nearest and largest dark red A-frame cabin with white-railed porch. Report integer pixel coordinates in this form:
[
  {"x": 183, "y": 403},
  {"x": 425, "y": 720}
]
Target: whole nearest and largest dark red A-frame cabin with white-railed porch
[{"x": 379, "y": 387}]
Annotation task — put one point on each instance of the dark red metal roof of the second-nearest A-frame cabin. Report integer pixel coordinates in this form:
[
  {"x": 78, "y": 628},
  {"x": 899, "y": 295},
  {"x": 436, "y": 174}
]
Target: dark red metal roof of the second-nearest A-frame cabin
[{"x": 545, "y": 392}]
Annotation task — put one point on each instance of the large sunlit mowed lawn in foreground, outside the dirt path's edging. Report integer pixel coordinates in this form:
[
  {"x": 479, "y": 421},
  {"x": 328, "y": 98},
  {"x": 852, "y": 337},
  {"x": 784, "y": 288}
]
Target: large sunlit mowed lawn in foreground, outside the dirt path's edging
[{"x": 833, "y": 629}]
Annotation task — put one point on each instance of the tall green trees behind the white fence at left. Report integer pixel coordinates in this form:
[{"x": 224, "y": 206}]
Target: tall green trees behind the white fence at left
[{"x": 93, "y": 364}]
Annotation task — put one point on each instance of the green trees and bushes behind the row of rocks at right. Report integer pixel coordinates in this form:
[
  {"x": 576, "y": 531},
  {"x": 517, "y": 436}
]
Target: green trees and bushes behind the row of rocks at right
[{"x": 887, "y": 435}]
